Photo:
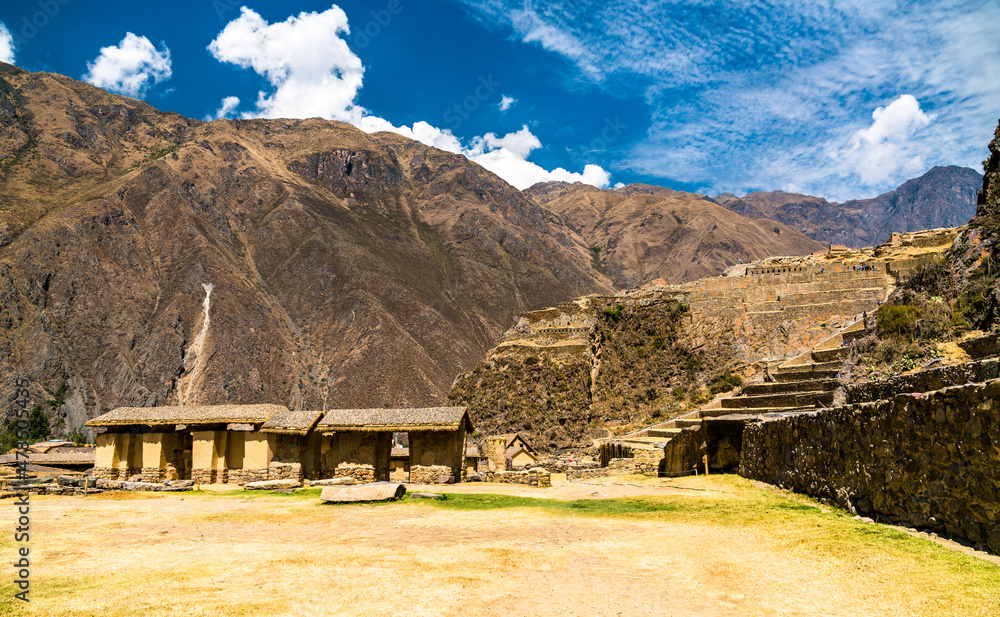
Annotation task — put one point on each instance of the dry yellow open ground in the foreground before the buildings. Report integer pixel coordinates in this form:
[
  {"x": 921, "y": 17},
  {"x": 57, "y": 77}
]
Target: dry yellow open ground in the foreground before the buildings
[{"x": 185, "y": 554}]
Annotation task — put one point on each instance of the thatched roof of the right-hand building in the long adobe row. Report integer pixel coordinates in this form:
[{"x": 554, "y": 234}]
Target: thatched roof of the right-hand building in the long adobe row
[{"x": 426, "y": 419}]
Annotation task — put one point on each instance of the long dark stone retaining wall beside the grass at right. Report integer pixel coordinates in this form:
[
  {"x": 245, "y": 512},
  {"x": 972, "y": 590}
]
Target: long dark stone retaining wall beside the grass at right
[{"x": 928, "y": 460}]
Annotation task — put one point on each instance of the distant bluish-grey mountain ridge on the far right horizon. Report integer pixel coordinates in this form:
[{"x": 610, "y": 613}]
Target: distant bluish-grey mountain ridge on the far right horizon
[{"x": 942, "y": 197}]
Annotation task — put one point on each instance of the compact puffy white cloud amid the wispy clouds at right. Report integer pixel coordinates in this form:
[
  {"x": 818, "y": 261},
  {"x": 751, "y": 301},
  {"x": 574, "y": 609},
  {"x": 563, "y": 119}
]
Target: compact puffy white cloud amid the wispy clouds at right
[{"x": 882, "y": 149}]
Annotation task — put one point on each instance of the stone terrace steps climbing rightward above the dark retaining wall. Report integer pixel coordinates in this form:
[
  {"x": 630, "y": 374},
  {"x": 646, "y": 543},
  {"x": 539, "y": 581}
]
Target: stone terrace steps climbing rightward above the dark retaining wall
[{"x": 803, "y": 383}]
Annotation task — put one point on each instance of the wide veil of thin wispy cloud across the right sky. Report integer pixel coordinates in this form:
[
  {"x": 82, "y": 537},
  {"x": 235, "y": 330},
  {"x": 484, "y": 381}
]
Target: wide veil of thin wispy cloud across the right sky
[{"x": 752, "y": 94}]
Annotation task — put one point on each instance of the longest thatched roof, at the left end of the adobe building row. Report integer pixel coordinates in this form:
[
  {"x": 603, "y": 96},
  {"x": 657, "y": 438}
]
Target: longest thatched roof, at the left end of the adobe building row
[{"x": 188, "y": 414}]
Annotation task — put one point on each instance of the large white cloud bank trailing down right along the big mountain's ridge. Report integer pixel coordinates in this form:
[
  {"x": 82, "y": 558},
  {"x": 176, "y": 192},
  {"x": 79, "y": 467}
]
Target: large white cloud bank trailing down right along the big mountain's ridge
[{"x": 312, "y": 72}]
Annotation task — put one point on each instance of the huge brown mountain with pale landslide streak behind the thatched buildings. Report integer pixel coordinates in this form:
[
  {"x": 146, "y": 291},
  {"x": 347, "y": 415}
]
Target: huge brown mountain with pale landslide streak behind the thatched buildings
[{"x": 148, "y": 259}]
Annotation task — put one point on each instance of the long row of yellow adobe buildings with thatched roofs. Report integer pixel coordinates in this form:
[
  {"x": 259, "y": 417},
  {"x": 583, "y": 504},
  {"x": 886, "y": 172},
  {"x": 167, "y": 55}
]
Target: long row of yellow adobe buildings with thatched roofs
[{"x": 243, "y": 443}]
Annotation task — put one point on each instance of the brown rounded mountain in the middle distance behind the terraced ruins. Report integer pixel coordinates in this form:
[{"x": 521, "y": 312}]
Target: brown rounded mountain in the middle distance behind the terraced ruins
[{"x": 641, "y": 233}]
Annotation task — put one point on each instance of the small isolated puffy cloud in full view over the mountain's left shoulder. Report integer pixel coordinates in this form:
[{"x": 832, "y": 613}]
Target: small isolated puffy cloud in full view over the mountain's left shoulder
[{"x": 131, "y": 67}]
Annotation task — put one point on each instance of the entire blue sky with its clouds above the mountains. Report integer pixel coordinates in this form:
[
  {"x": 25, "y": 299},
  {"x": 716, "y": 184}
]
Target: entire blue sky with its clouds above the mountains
[{"x": 838, "y": 98}]
